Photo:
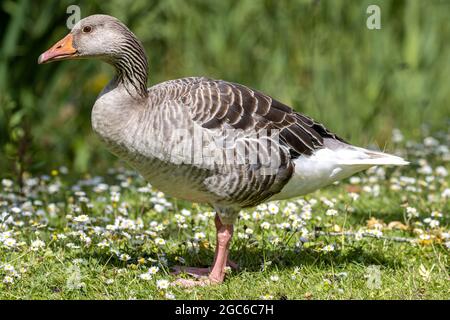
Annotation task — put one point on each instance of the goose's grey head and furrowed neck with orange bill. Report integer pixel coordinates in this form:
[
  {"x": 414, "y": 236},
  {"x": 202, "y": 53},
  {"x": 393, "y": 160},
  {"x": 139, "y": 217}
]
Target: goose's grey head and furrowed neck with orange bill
[{"x": 106, "y": 38}]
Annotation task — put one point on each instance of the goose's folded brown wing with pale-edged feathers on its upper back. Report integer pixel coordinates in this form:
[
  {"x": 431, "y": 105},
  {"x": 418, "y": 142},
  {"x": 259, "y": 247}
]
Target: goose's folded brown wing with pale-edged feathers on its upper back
[{"x": 217, "y": 103}]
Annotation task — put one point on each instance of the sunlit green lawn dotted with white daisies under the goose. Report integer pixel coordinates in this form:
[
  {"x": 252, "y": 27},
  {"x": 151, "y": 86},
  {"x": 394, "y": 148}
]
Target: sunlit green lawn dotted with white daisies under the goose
[{"x": 383, "y": 234}]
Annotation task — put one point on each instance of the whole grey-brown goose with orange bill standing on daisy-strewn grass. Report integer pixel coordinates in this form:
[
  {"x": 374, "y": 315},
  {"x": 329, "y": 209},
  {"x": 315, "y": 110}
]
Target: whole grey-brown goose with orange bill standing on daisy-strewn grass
[{"x": 205, "y": 140}]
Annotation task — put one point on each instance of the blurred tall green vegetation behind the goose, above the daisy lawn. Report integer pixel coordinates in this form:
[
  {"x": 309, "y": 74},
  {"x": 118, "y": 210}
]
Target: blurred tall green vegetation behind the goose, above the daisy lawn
[{"x": 317, "y": 56}]
